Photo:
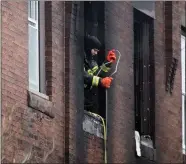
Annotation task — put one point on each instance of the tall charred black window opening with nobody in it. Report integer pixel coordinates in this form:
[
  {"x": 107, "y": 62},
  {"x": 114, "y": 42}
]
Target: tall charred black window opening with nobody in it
[{"x": 144, "y": 85}]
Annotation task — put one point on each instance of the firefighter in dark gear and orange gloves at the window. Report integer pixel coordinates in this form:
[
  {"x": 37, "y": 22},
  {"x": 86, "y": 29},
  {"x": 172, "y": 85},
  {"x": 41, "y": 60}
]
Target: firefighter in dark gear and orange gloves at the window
[{"x": 91, "y": 69}]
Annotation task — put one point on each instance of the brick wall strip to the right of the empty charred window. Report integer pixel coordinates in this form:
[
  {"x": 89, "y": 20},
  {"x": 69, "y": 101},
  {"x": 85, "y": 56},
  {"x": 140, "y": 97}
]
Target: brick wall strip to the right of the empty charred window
[{"x": 168, "y": 107}]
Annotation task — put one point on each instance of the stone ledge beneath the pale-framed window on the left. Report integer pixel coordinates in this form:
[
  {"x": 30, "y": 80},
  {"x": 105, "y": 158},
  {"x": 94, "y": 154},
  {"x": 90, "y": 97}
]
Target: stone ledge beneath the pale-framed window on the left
[{"x": 40, "y": 102}]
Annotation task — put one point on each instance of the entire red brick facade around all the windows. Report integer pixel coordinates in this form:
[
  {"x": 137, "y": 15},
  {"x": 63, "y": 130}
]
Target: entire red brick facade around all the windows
[{"x": 37, "y": 128}]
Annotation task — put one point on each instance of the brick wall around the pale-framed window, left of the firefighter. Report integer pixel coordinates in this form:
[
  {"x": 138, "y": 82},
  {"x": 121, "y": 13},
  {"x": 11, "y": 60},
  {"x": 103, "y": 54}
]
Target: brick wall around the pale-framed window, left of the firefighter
[{"x": 64, "y": 65}]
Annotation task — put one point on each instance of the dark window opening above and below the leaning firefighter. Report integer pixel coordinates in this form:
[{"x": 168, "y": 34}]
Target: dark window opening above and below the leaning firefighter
[{"x": 94, "y": 26}]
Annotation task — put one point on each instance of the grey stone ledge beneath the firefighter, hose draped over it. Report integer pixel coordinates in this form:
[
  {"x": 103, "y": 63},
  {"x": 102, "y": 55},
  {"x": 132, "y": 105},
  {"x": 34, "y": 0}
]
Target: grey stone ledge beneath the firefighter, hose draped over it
[{"x": 93, "y": 125}]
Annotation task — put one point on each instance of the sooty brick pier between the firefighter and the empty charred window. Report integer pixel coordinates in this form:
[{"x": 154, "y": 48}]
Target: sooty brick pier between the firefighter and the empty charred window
[{"x": 119, "y": 35}]
